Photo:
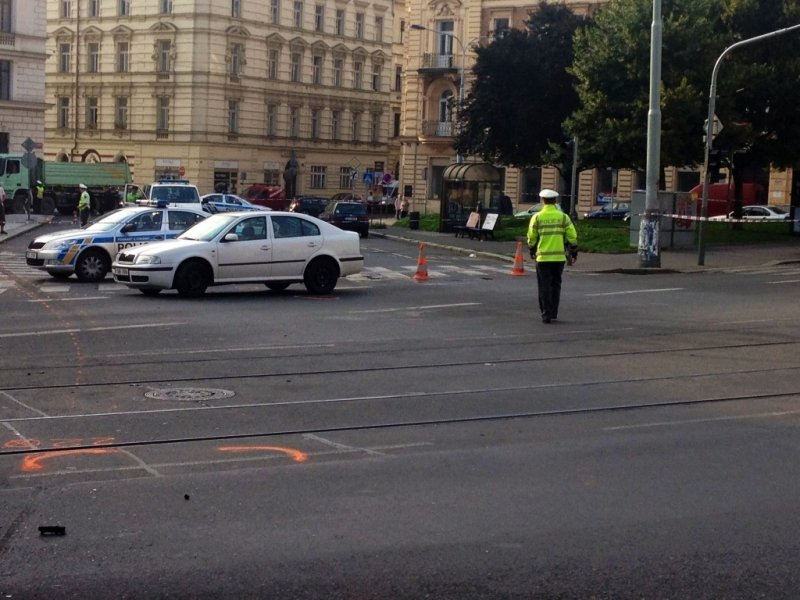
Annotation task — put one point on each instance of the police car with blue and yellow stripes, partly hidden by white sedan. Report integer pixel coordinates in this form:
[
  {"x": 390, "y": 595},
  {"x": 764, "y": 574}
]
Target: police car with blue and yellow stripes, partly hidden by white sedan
[{"x": 89, "y": 252}]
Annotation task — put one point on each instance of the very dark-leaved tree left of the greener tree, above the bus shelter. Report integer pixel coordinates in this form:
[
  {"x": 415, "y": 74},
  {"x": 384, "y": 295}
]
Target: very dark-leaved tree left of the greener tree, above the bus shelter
[{"x": 522, "y": 91}]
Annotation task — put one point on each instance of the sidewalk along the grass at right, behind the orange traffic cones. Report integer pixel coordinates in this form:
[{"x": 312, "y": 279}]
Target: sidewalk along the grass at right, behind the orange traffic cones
[{"x": 672, "y": 260}]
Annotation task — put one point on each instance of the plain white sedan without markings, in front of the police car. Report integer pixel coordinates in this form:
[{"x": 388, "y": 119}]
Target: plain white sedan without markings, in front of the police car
[{"x": 273, "y": 248}]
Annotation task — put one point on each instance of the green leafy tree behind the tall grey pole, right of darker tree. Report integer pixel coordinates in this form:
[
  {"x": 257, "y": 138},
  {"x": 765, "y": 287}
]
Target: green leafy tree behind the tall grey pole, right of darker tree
[{"x": 612, "y": 66}]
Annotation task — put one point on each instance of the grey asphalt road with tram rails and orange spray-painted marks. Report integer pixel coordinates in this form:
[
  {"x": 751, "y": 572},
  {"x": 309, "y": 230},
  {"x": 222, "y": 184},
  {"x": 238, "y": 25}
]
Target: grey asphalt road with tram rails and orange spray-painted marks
[{"x": 401, "y": 439}]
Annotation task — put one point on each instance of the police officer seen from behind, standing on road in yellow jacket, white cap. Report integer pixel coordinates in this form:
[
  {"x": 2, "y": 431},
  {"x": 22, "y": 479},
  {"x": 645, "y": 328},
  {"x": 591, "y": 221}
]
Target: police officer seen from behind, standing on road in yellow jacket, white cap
[{"x": 551, "y": 235}]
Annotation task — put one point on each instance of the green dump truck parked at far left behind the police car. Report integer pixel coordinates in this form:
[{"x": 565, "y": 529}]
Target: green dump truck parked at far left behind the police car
[{"x": 106, "y": 183}]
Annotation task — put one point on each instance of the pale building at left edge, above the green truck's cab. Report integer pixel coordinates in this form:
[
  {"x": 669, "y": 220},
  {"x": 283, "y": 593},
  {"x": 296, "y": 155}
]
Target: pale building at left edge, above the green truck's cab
[{"x": 22, "y": 68}]
